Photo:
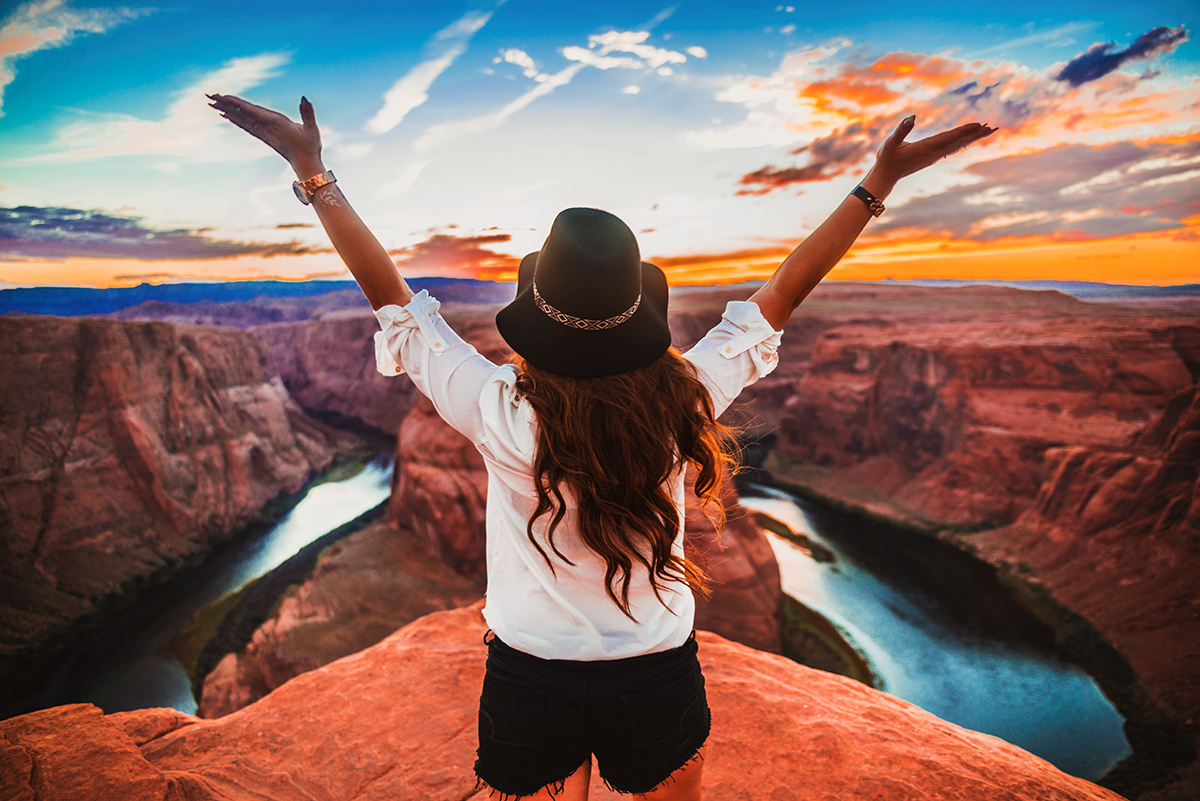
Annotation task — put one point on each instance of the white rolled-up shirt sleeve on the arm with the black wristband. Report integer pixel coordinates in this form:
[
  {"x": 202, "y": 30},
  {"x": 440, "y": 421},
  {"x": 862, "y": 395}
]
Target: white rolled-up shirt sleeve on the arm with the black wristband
[{"x": 740, "y": 351}]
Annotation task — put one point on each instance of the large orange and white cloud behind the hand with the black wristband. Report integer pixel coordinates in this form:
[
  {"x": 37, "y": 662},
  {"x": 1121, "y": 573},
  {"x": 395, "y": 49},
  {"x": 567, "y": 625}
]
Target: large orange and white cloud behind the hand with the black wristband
[{"x": 842, "y": 111}]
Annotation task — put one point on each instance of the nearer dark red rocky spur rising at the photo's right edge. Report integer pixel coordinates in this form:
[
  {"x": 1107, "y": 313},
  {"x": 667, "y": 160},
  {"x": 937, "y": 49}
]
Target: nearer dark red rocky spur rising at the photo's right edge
[{"x": 1115, "y": 535}]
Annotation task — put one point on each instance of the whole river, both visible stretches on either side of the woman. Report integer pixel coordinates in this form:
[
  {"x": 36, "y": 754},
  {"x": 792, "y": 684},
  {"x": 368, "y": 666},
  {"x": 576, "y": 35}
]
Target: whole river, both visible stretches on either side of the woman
[{"x": 933, "y": 624}]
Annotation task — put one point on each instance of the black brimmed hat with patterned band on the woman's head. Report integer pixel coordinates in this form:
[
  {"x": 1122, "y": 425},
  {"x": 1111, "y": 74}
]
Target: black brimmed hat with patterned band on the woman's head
[{"x": 587, "y": 305}]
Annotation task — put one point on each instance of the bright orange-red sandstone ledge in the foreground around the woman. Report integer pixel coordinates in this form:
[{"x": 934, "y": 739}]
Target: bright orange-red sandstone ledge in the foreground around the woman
[{"x": 398, "y": 721}]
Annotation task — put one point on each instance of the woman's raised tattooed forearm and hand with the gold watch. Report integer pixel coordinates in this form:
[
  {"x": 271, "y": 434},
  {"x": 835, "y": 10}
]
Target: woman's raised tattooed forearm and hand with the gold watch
[{"x": 301, "y": 146}]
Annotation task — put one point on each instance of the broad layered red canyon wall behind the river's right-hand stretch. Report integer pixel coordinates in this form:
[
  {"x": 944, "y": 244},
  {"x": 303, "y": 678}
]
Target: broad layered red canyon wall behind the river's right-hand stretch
[{"x": 949, "y": 423}]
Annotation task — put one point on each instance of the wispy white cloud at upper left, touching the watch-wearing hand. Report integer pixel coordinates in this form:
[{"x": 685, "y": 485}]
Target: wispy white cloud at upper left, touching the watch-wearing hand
[{"x": 189, "y": 129}]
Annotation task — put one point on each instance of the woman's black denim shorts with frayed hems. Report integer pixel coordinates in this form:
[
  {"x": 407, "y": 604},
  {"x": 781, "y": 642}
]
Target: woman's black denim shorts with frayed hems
[{"x": 643, "y": 718}]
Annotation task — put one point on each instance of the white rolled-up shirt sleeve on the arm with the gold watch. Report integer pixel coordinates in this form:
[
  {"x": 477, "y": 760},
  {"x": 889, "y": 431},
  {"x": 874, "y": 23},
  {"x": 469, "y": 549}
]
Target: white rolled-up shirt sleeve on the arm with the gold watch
[{"x": 416, "y": 340}]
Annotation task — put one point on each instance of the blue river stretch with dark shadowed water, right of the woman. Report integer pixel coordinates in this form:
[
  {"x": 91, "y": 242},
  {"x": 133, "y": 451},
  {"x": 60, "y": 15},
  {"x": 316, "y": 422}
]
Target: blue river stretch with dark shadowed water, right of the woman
[{"x": 939, "y": 631}]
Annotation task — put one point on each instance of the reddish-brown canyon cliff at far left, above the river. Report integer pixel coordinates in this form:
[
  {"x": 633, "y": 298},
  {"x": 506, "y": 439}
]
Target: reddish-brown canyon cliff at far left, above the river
[{"x": 128, "y": 449}]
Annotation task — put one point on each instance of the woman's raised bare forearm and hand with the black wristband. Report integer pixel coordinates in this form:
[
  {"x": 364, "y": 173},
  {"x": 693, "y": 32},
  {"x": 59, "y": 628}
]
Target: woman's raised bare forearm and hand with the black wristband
[{"x": 817, "y": 256}]
